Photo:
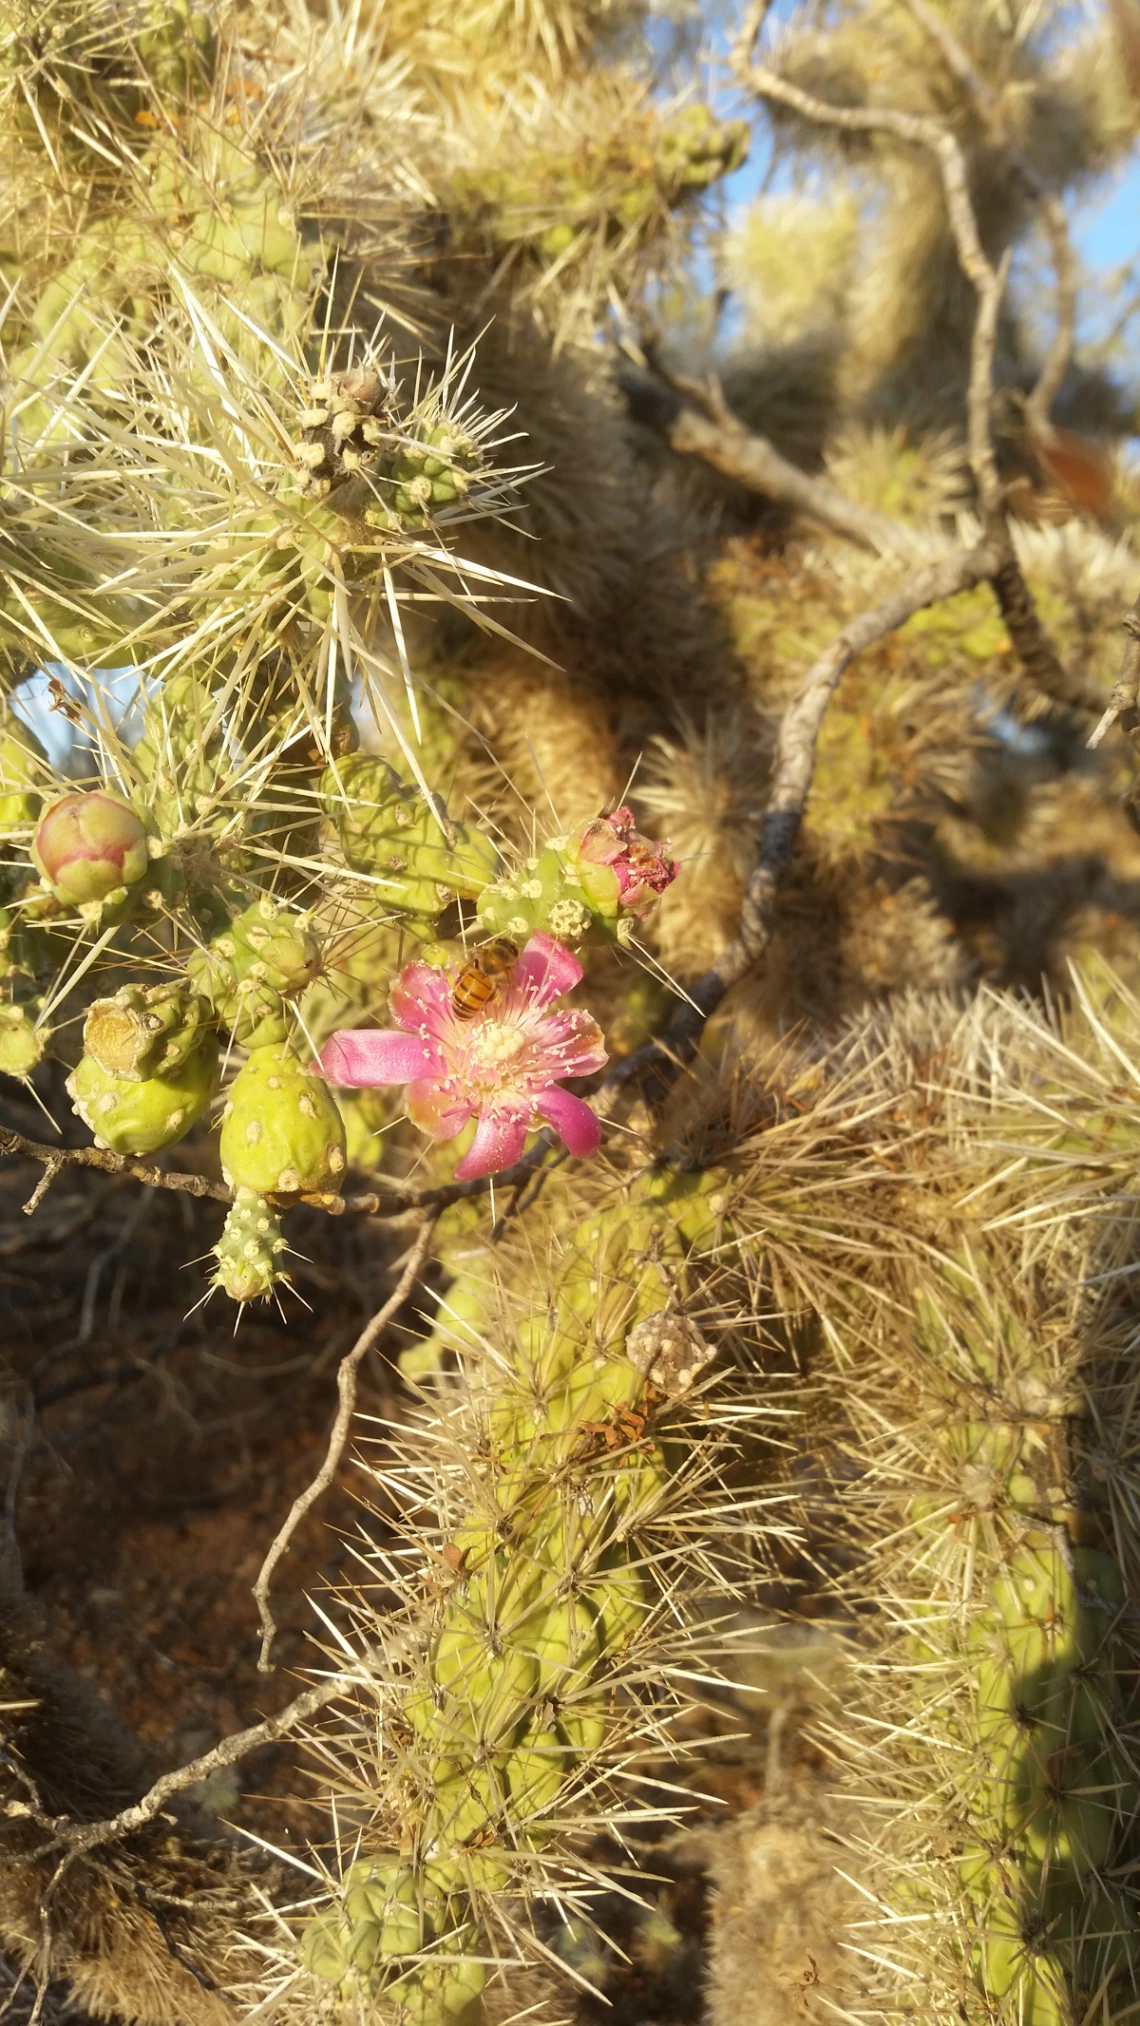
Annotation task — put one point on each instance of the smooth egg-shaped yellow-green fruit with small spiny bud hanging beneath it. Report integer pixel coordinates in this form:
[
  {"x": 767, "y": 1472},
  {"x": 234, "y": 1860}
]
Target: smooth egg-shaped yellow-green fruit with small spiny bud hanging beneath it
[{"x": 282, "y": 1132}]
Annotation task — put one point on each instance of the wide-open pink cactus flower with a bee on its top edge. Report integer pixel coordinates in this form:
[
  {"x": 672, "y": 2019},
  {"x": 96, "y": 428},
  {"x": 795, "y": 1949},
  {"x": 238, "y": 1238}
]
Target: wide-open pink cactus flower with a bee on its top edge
[{"x": 501, "y": 1067}]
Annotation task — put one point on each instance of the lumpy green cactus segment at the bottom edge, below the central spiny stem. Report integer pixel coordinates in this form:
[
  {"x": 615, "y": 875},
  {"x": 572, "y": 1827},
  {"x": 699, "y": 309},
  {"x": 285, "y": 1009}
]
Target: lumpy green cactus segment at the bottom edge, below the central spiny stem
[{"x": 404, "y": 1934}]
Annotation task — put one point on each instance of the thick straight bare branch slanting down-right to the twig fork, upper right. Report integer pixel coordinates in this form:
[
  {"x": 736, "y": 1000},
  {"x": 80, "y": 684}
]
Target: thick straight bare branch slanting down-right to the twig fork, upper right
[{"x": 700, "y": 424}]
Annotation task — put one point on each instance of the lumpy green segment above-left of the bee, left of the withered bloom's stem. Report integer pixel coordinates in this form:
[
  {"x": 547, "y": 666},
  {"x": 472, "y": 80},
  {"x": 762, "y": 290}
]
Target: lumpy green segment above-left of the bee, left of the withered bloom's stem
[{"x": 386, "y": 830}]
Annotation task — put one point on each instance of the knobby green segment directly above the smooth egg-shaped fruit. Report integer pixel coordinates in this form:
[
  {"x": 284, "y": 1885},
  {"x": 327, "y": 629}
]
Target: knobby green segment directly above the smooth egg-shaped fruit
[{"x": 250, "y": 971}]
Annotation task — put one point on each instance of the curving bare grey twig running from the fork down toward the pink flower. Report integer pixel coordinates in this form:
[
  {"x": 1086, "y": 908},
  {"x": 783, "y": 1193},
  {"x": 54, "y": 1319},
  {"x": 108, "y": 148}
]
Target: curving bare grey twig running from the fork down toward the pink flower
[{"x": 791, "y": 785}]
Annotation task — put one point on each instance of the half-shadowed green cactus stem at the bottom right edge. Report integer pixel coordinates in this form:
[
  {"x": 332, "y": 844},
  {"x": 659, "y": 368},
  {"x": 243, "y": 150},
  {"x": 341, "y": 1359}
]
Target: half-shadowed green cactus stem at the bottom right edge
[{"x": 1054, "y": 1681}]
